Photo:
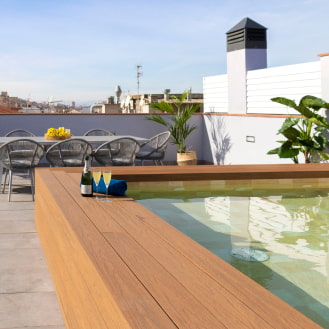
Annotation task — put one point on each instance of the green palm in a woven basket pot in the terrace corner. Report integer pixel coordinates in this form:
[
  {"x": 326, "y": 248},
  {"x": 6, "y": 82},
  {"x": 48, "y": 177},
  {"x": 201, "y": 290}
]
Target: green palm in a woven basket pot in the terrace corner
[{"x": 178, "y": 124}]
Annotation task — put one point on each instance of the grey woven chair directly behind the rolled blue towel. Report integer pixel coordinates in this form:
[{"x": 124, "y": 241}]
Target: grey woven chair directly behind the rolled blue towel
[{"x": 119, "y": 152}]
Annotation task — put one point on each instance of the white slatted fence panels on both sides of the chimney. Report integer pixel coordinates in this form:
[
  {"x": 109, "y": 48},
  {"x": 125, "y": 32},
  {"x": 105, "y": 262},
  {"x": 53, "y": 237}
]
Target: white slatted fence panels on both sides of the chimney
[{"x": 291, "y": 81}]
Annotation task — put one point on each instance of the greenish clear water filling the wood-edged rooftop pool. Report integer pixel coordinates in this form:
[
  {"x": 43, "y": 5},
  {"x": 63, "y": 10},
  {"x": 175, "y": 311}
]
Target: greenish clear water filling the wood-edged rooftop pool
[{"x": 281, "y": 225}]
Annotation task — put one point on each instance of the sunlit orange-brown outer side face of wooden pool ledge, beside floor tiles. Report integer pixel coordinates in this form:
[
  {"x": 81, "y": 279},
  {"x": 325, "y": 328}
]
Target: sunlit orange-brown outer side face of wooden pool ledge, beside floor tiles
[{"x": 80, "y": 309}]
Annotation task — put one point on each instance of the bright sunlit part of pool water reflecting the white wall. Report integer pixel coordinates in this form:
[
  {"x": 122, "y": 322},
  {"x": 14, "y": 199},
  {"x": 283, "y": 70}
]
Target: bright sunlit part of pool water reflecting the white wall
[{"x": 293, "y": 231}]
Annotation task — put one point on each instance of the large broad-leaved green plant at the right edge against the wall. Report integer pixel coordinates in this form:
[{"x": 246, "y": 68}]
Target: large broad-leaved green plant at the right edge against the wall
[{"x": 304, "y": 135}]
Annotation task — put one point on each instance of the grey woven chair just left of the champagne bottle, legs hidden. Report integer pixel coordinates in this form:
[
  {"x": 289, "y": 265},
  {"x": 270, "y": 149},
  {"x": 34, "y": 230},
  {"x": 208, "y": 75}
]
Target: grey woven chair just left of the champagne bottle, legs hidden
[{"x": 68, "y": 153}]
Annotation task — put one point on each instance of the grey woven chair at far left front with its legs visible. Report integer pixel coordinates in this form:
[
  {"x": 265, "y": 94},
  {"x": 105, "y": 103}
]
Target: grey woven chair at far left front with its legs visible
[{"x": 20, "y": 155}]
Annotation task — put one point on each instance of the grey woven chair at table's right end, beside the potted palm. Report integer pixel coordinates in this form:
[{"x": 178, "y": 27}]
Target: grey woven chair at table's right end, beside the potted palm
[{"x": 154, "y": 149}]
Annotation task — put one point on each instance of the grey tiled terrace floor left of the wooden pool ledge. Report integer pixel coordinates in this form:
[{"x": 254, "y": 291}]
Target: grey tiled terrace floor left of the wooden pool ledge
[{"x": 27, "y": 295}]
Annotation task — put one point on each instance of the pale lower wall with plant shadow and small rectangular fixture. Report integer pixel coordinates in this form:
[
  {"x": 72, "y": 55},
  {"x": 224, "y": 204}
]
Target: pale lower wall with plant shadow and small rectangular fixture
[{"x": 228, "y": 143}]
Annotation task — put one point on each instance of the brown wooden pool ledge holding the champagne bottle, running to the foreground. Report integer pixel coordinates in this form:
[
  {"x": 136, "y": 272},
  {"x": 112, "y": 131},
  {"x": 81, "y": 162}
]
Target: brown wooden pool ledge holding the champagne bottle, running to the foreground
[{"x": 118, "y": 265}]
